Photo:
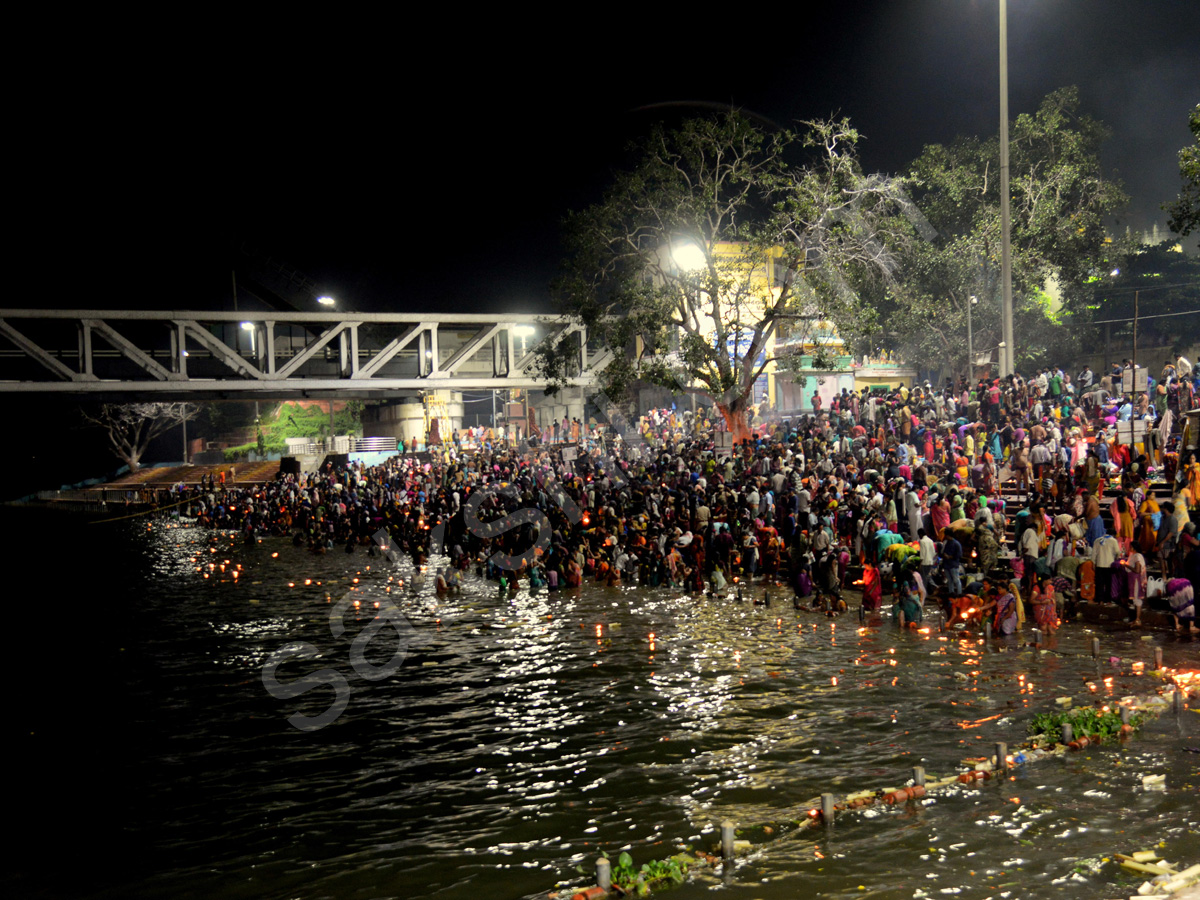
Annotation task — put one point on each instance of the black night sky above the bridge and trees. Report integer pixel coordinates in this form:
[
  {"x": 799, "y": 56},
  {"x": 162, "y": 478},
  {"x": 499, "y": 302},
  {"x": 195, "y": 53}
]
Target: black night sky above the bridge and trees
[{"x": 425, "y": 164}]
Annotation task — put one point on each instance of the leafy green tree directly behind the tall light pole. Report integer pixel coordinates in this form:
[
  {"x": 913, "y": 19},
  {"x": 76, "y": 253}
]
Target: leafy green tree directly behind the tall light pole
[{"x": 1060, "y": 200}]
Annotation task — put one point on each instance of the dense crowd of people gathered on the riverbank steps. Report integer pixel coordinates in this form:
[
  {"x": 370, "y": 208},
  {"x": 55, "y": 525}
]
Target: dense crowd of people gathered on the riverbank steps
[{"x": 904, "y": 485}]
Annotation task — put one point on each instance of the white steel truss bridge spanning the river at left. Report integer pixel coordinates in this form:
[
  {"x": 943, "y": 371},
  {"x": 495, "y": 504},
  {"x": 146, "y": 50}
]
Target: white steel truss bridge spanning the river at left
[{"x": 188, "y": 356}]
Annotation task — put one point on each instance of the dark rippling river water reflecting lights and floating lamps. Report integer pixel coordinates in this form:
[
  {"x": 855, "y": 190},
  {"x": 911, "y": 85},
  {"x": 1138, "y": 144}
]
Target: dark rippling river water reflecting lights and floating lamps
[{"x": 523, "y": 735}]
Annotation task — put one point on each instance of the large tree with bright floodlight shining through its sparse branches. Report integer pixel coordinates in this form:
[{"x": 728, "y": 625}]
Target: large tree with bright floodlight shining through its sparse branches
[{"x": 713, "y": 244}]
